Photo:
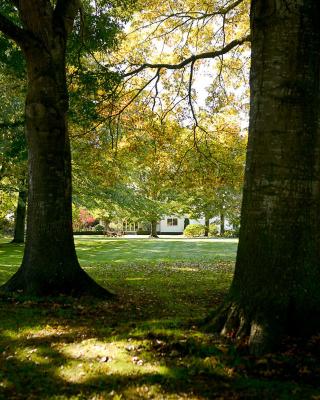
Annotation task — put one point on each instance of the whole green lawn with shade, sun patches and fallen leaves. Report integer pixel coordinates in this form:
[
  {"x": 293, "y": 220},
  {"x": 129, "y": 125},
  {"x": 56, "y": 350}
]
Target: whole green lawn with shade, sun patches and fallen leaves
[{"x": 150, "y": 342}]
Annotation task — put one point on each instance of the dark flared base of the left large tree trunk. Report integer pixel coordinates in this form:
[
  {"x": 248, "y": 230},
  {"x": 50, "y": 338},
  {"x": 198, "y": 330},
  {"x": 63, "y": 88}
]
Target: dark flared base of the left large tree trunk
[{"x": 76, "y": 285}]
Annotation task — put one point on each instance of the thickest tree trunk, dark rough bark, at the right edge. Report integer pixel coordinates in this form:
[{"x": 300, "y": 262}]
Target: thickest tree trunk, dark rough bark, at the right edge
[{"x": 276, "y": 287}]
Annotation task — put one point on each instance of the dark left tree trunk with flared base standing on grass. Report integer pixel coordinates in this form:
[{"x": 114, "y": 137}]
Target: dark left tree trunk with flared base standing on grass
[{"x": 50, "y": 264}]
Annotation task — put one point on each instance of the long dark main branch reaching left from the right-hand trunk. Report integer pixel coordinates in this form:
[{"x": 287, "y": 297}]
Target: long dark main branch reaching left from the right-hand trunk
[{"x": 191, "y": 59}]
